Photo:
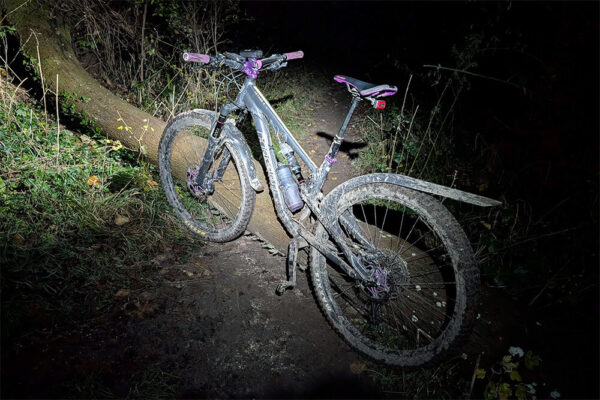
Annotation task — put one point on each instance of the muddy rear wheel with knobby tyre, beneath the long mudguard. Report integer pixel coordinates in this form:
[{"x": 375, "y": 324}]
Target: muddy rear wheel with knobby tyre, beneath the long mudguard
[{"x": 420, "y": 305}]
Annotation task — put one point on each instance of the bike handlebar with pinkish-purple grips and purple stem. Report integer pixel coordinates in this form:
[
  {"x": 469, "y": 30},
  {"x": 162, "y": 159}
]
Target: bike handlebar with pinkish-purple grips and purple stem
[{"x": 239, "y": 63}]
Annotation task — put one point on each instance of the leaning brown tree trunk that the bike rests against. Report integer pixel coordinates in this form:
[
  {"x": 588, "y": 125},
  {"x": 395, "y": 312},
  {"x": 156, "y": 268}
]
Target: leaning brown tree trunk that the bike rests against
[{"x": 51, "y": 46}]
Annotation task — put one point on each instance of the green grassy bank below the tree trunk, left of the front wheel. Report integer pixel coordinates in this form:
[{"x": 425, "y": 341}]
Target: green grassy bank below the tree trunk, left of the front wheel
[{"x": 78, "y": 222}]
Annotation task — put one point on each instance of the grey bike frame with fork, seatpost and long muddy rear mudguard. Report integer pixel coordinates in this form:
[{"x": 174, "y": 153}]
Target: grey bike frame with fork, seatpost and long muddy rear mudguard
[{"x": 265, "y": 118}]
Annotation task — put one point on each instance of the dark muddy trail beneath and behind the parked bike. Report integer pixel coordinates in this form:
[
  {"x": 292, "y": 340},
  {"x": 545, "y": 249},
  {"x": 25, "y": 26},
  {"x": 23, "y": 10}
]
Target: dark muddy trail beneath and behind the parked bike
[{"x": 213, "y": 325}]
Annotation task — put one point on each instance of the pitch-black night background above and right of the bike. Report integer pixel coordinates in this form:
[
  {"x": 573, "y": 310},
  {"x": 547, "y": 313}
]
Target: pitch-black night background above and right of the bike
[{"x": 540, "y": 130}]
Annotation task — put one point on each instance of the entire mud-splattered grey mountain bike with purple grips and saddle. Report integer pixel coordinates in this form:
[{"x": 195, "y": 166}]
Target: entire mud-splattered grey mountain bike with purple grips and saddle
[{"x": 391, "y": 268}]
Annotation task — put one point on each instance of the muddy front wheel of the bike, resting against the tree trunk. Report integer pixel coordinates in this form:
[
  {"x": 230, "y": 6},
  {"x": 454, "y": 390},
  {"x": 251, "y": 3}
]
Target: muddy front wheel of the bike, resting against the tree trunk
[{"x": 222, "y": 215}]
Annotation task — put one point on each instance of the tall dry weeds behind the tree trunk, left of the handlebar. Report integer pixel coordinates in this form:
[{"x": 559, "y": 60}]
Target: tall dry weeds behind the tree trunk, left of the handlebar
[{"x": 144, "y": 65}]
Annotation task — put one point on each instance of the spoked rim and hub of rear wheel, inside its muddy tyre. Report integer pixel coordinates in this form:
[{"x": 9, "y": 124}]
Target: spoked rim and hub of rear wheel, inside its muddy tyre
[{"x": 411, "y": 306}]
